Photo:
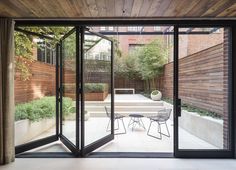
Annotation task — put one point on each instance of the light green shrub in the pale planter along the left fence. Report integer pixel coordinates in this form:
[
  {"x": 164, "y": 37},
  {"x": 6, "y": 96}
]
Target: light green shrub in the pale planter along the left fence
[{"x": 41, "y": 108}]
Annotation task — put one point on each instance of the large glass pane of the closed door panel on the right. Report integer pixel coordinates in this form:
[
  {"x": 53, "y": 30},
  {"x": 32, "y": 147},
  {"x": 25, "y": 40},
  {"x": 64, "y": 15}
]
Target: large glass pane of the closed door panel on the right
[{"x": 203, "y": 88}]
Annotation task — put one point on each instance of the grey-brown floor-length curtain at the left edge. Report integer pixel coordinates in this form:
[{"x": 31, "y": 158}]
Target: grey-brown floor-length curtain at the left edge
[{"x": 7, "y": 148}]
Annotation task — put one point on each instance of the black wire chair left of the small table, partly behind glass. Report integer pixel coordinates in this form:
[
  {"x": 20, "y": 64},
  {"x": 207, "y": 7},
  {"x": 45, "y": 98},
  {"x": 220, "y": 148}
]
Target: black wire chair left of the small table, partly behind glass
[{"x": 117, "y": 118}]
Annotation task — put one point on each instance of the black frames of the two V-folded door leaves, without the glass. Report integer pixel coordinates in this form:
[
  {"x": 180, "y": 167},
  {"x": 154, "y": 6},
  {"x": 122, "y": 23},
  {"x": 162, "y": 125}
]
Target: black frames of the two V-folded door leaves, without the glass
[{"x": 79, "y": 149}]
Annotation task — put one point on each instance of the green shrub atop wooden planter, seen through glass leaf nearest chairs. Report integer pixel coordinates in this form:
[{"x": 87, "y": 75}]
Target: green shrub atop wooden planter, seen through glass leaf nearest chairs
[{"x": 95, "y": 87}]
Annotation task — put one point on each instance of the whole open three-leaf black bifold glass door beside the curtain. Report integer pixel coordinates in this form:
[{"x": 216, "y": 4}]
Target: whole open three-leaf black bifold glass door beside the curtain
[{"x": 65, "y": 117}]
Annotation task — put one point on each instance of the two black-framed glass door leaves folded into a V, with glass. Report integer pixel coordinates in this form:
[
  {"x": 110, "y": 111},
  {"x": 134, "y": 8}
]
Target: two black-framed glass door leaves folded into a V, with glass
[{"x": 79, "y": 65}]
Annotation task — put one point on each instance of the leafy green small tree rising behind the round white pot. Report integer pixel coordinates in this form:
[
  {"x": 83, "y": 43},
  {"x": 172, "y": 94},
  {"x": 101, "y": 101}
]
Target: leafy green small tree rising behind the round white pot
[{"x": 151, "y": 59}]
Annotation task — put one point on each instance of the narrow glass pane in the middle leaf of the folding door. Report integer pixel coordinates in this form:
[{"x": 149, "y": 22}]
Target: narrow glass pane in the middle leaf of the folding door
[{"x": 69, "y": 87}]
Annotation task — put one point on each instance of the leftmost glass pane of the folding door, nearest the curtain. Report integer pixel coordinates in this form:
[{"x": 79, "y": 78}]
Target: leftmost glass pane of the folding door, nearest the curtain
[{"x": 35, "y": 99}]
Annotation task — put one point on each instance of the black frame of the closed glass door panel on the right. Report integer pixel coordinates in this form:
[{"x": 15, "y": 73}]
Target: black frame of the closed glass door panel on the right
[{"x": 201, "y": 153}]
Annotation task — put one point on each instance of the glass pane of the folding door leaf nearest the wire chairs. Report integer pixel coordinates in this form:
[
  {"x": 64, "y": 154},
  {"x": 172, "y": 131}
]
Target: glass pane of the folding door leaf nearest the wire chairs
[{"x": 97, "y": 84}]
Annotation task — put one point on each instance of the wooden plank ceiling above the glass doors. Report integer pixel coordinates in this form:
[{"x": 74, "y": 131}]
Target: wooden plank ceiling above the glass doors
[{"x": 117, "y": 8}]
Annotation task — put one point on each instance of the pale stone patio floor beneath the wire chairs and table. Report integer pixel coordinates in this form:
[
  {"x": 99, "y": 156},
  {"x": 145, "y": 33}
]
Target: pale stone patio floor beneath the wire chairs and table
[{"x": 133, "y": 141}]
